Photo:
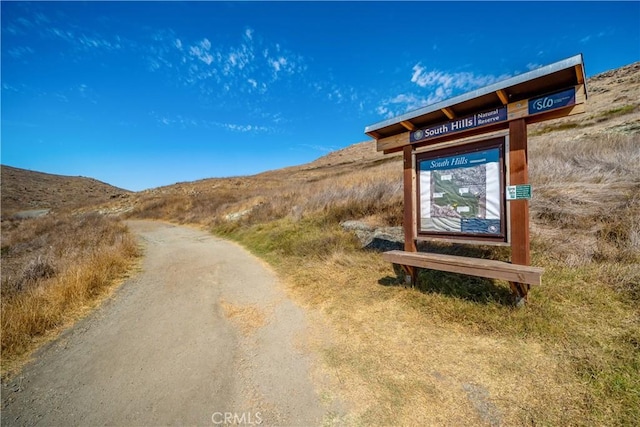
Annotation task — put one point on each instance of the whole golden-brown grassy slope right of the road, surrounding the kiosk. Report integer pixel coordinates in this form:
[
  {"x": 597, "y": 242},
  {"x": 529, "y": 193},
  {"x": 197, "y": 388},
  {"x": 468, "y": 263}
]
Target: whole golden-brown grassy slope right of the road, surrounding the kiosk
[{"x": 453, "y": 351}]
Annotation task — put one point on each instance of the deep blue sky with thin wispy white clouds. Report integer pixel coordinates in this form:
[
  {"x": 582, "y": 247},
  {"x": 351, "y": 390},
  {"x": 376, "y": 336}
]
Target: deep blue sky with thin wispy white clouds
[{"x": 144, "y": 94}]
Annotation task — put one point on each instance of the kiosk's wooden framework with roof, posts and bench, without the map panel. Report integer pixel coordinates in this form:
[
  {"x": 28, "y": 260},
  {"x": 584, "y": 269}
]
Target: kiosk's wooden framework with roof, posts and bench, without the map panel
[{"x": 452, "y": 126}]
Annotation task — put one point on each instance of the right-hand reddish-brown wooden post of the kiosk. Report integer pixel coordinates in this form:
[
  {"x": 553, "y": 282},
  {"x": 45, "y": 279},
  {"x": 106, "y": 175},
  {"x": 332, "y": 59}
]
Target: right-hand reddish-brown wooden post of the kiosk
[{"x": 519, "y": 209}]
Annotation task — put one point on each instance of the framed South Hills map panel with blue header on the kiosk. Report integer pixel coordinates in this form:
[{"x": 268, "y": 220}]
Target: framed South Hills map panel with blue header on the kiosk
[{"x": 461, "y": 191}]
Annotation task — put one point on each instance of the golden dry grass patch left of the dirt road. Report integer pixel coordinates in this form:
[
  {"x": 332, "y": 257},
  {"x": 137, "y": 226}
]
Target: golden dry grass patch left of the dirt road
[{"x": 53, "y": 269}]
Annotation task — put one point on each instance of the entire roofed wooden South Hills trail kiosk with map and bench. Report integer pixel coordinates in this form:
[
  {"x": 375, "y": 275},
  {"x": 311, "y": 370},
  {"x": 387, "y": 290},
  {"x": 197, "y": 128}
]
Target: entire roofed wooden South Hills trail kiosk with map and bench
[{"x": 466, "y": 170}]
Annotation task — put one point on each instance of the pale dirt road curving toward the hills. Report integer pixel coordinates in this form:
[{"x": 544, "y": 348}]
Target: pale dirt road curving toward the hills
[{"x": 203, "y": 335}]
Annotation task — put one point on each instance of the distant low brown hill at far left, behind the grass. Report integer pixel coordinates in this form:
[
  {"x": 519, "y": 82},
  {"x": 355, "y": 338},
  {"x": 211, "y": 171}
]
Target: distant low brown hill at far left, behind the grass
[{"x": 28, "y": 190}]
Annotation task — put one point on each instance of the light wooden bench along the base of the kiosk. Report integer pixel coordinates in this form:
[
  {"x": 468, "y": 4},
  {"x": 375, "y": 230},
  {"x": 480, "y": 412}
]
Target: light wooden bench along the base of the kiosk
[{"x": 519, "y": 276}]
